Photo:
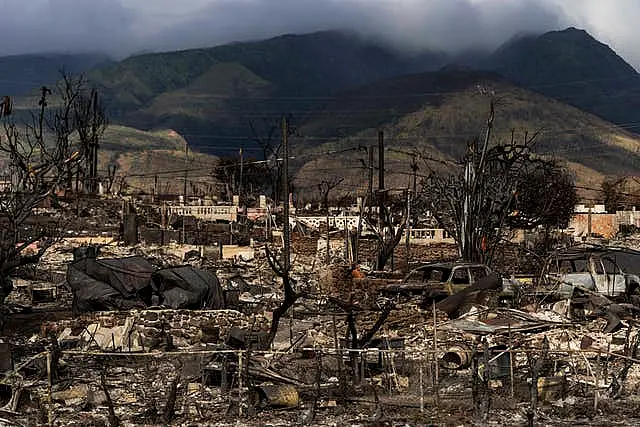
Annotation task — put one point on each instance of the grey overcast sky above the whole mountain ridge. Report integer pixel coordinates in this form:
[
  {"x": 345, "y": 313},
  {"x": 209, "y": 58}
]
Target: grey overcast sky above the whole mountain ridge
[{"x": 123, "y": 27}]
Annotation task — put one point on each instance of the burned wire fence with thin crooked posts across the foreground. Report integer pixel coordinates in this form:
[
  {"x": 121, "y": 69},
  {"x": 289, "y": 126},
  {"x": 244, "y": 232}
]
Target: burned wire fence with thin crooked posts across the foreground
[{"x": 221, "y": 386}]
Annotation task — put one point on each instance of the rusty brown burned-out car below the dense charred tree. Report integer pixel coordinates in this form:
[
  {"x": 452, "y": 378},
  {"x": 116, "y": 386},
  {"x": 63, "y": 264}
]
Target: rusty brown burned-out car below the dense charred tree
[{"x": 439, "y": 280}]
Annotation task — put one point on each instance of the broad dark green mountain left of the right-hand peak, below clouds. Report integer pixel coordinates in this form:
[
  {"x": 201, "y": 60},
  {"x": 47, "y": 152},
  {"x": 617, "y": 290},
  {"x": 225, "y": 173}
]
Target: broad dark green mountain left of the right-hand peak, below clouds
[{"x": 211, "y": 95}]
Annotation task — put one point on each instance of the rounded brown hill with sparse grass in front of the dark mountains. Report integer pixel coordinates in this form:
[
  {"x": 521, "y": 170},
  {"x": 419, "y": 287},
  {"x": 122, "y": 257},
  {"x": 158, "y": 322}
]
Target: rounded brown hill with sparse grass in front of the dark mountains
[{"x": 438, "y": 113}]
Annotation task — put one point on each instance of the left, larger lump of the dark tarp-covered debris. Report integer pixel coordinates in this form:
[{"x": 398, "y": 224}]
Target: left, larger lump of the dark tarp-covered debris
[{"x": 110, "y": 284}]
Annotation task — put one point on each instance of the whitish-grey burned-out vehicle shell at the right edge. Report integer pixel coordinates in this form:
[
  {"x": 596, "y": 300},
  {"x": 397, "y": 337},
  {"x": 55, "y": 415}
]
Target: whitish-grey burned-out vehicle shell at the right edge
[{"x": 590, "y": 268}]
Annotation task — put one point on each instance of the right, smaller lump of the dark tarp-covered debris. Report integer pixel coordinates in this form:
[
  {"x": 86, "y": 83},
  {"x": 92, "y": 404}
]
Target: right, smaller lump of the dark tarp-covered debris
[{"x": 188, "y": 287}]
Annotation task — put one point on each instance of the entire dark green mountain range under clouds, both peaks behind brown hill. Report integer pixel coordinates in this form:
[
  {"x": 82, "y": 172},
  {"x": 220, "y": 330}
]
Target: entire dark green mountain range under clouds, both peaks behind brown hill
[{"x": 229, "y": 96}]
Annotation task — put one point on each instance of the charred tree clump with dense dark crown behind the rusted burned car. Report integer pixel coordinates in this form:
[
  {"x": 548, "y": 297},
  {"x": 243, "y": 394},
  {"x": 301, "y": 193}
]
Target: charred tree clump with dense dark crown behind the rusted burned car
[{"x": 494, "y": 189}]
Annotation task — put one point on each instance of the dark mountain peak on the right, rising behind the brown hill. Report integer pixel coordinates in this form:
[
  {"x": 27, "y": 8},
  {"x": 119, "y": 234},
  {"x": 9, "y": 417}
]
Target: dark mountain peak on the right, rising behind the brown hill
[{"x": 573, "y": 67}]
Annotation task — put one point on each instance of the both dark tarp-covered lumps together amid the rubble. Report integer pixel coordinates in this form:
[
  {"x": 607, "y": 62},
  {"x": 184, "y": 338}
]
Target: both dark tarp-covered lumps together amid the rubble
[{"x": 125, "y": 283}]
